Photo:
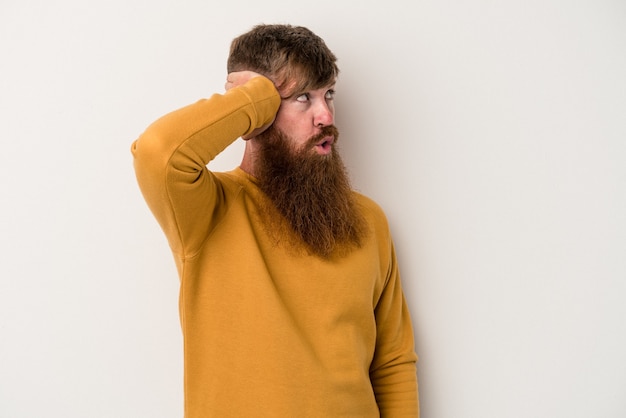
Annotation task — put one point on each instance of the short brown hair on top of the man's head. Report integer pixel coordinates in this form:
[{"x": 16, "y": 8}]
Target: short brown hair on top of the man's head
[{"x": 285, "y": 54}]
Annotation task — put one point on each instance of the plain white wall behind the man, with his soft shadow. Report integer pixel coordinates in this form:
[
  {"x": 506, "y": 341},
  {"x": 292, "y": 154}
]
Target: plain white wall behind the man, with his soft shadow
[{"x": 491, "y": 132}]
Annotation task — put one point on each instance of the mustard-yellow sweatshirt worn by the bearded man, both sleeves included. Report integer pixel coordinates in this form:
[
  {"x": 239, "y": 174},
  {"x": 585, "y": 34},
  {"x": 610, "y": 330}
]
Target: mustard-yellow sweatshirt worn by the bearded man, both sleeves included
[{"x": 269, "y": 333}]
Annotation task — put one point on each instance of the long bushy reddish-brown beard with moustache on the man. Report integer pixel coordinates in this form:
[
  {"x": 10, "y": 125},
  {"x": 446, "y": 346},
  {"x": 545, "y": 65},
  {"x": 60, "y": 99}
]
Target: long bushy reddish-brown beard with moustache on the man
[{"x": 312, "y": 192}]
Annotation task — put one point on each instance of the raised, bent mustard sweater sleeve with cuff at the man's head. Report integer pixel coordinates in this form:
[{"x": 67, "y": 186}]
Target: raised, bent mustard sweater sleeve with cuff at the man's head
[{"x": 170, "y": 159}]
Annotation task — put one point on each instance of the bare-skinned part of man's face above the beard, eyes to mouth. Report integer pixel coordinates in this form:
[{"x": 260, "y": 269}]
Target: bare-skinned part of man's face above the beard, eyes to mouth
[{"x": 302, "y": 116}]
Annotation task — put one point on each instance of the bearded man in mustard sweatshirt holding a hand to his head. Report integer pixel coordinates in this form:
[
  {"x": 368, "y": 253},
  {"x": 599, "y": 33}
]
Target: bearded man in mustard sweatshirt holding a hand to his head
[{"x": 290, "y": 301}]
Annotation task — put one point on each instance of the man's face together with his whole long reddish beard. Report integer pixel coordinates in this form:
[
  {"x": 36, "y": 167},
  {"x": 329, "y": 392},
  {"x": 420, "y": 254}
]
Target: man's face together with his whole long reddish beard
[{"x": 302, "y": 174}]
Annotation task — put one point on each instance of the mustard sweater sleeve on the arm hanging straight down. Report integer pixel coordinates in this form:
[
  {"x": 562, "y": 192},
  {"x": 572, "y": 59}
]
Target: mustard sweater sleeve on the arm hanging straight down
[{"x": 393, "y": 372}]
